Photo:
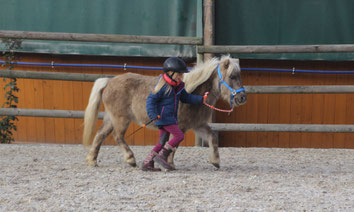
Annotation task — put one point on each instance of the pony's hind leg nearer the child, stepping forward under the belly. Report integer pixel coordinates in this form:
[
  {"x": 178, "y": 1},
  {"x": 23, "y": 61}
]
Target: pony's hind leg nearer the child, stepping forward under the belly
[{"x": 120, "y": 127}]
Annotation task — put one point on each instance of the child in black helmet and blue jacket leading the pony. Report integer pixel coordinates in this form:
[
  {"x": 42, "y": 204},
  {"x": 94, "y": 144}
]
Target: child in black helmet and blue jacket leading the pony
[{"x": 162, "y": 106}]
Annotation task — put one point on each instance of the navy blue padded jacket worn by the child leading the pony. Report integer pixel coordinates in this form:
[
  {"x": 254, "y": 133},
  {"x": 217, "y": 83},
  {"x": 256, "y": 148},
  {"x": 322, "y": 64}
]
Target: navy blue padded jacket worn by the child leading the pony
[{"x": 166, "y": 105}]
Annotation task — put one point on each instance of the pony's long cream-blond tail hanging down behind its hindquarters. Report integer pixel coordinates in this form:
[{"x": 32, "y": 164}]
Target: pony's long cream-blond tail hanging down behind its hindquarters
[{"x": 91, "y": 112}]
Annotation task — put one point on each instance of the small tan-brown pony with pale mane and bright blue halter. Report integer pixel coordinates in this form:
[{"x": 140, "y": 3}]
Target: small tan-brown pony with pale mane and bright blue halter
[{"x": 124, "y": 98}]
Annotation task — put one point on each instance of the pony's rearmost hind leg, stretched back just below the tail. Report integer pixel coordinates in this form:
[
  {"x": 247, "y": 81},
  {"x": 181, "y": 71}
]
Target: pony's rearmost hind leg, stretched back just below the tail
[{"x": 103, "y": 132}]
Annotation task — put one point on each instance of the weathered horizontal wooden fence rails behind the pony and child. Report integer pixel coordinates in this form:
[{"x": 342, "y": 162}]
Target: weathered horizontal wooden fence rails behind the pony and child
[{"x": 201, "y": 50}]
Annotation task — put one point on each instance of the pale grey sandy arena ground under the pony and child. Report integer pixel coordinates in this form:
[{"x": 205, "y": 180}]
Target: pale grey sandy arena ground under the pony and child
[{"x": 52, "y": 177}]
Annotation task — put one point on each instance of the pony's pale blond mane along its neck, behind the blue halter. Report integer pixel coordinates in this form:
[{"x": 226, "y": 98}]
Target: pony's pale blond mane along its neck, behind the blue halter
[{"x": 202, "y": 73}]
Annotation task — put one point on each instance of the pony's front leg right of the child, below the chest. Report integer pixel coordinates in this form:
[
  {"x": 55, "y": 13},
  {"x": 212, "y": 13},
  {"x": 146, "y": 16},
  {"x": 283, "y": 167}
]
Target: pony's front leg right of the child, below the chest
[{"x": 207, "y": 134}]
